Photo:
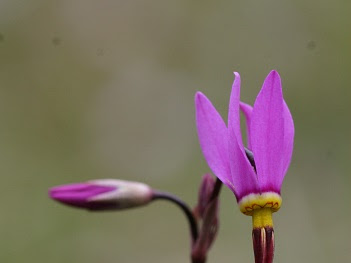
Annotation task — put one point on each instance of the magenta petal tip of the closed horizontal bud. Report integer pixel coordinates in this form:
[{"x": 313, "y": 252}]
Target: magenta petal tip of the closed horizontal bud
[{"x": 78, "y": 195}]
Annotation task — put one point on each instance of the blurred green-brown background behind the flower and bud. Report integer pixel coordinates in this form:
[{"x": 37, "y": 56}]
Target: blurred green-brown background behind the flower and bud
[{"x": 104, "y": 89}]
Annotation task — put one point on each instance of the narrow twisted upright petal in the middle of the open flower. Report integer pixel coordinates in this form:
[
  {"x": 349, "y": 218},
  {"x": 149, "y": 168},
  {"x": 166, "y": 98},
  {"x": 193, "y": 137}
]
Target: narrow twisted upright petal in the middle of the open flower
[{"x": 243, "y": 175}]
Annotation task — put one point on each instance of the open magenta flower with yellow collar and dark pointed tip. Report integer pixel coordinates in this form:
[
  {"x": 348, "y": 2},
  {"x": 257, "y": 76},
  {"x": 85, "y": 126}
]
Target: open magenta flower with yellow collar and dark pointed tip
[{"x": 255, "y": 176}]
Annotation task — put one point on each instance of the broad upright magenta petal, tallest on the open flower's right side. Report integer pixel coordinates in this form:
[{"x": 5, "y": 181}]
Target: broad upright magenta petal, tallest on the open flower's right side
[{"x": 267, "y": 134}]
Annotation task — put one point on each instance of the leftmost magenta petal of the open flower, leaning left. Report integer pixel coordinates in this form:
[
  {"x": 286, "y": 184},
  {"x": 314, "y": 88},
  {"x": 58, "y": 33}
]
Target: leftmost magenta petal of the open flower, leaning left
[{"x": 213, "y": 137}]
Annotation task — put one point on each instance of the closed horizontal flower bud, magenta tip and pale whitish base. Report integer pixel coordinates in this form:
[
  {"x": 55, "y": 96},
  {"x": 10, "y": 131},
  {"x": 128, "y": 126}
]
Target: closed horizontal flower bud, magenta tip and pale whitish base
[{"x": 106, "y": 194}]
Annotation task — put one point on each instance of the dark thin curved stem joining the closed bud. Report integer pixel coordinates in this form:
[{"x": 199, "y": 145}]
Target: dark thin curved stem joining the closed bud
[{"x": 184, "y": 207}]
